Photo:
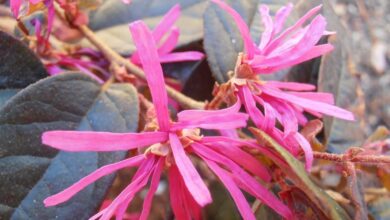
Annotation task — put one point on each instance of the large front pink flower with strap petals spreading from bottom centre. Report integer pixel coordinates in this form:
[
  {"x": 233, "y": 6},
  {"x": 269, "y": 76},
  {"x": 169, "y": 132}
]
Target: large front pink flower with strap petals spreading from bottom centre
[{"x": 169, "y": 145}]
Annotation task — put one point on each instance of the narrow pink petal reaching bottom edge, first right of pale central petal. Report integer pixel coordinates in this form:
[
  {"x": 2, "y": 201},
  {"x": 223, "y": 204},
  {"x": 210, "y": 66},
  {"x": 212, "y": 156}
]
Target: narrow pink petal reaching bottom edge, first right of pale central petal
[{"x": 239, "y": 198}]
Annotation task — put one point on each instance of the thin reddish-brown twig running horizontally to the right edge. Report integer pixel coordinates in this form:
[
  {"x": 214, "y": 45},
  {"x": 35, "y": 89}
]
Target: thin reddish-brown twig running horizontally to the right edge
[{"x": 342, "y": 158}]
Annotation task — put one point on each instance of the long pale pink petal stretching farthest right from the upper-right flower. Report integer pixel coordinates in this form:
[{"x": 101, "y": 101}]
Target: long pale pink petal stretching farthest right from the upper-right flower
[{"x": 310, "y": 105}]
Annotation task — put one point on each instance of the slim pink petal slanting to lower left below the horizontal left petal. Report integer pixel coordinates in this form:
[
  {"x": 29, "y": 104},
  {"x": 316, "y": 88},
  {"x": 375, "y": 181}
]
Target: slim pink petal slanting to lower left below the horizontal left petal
[{"x": 68, "y": 193}]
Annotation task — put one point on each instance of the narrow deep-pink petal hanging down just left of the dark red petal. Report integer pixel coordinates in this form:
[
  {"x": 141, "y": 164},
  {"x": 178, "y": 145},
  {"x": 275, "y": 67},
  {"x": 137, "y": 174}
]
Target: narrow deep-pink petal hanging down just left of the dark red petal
[{"x": 152, "y": 190}]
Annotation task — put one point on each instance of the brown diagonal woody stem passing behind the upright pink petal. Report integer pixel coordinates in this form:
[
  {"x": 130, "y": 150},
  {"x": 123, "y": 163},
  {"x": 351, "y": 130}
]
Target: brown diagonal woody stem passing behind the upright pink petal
[{"x": 185, "y": 101}]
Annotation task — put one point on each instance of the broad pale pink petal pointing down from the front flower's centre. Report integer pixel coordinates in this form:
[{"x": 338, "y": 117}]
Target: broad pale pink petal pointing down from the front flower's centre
[{"x": 191, "y": 177}]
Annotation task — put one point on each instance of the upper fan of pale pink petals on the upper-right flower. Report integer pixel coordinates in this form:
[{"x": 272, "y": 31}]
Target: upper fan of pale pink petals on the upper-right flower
[{"x": 281, "y": 49}]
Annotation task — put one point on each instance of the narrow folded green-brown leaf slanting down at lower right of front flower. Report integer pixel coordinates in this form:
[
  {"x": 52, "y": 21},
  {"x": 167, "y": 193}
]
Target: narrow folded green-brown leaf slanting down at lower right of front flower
[{"x": 295, "y": 170}]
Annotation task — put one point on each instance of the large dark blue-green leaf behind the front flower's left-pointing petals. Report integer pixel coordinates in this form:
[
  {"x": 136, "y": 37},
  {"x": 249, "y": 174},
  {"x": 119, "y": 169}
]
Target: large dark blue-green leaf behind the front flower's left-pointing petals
[{"x": 31, "y": 171}]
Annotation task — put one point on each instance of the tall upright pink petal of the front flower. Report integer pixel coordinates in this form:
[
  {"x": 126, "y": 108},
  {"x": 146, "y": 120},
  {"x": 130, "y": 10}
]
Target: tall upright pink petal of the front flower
[{"x": 147, "y": 51}]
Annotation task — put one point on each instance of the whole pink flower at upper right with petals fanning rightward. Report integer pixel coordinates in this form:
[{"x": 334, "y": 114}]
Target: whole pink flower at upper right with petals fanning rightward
[{"x": 283, "y": 102}]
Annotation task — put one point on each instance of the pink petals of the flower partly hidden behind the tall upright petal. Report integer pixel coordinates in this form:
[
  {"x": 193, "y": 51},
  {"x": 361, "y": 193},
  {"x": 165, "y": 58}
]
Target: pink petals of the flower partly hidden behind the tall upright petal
[{"x": 166, "y": 36}]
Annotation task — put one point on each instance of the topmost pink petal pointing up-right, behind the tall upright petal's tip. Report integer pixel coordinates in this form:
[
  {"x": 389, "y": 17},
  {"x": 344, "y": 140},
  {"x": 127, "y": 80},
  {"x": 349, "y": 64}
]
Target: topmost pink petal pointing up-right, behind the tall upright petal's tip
[{"x": 166, "y": 23}]
